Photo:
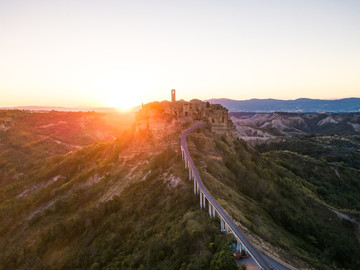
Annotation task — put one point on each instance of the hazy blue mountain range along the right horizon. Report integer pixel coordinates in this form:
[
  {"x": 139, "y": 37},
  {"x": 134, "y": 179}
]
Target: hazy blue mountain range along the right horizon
[{"x": 297, "y": 105}]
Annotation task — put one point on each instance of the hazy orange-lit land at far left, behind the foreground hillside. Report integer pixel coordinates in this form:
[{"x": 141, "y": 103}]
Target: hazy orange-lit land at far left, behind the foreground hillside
[{"x": 26, "y": 137}]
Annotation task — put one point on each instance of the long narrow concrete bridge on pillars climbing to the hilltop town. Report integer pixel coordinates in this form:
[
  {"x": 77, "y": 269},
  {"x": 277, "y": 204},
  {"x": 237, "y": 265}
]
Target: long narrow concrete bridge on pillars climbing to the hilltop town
[{"x": 226, "y": 224}]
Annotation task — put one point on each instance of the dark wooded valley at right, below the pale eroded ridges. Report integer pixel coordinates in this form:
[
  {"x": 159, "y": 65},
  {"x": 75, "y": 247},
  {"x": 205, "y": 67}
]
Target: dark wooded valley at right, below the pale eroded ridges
[{"x": 330, "y": 165}]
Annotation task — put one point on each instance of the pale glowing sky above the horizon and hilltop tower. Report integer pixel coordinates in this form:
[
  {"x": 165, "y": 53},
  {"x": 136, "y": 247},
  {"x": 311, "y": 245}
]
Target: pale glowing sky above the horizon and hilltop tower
[{"x": 123, "y": 53}]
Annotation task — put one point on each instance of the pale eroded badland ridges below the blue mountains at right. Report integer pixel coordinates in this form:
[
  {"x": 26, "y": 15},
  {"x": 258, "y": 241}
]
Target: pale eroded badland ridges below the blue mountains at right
[{"x": 257, "y": 128}]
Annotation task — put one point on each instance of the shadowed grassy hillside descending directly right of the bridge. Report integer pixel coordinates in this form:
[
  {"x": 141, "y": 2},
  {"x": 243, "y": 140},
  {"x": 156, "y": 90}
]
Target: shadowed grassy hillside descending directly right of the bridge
[{"x": 281, "y": 210}]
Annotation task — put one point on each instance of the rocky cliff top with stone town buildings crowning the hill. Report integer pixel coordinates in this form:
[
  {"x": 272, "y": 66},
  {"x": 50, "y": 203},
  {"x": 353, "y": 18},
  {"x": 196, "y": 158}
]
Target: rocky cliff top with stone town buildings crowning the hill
[{"x": 156, "y": 117}]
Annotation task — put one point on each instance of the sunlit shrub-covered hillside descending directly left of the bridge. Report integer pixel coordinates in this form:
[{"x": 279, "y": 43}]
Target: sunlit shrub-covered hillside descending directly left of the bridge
[{"x": 126, "y": 204}]
